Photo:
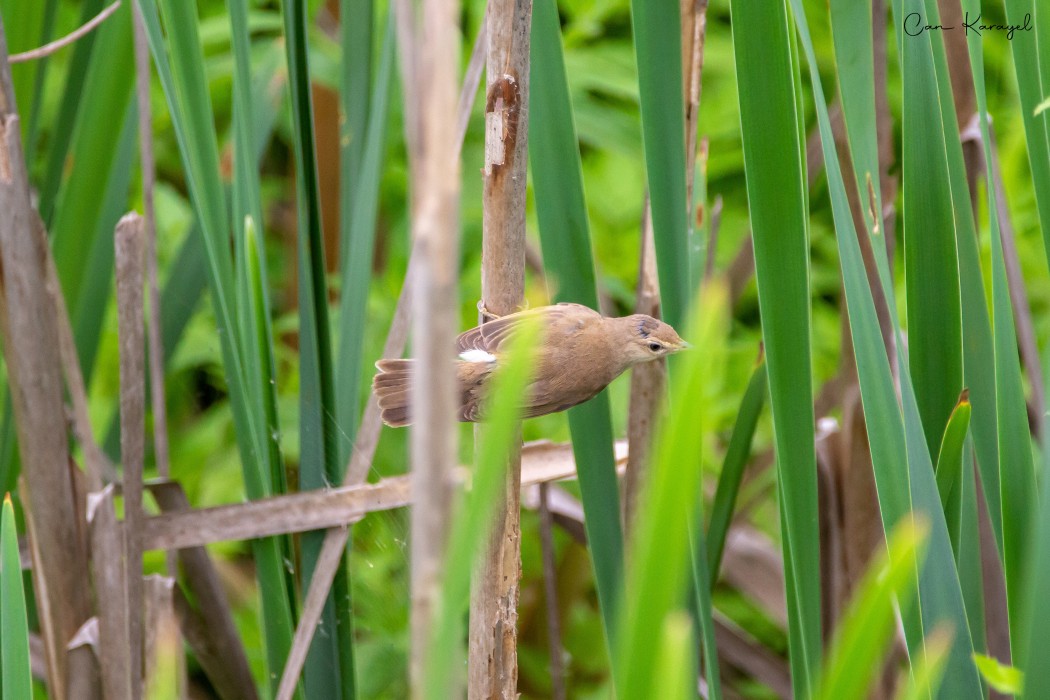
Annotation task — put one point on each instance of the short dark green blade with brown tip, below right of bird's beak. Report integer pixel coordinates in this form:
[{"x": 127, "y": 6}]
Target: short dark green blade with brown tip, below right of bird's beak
[{"x": 733, "y": 466}]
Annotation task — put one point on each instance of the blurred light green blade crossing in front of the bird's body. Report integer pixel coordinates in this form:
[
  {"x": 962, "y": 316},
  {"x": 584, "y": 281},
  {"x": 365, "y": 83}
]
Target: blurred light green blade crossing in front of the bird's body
[{"x": 473, "y": 520}]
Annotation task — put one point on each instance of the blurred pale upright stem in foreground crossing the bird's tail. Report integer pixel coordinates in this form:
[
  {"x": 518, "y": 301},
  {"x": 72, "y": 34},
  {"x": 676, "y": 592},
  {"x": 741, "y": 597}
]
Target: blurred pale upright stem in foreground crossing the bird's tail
[{"x": 434, "y": 393}]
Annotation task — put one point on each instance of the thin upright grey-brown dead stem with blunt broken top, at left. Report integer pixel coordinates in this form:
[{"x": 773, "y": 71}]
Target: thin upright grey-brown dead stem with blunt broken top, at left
[{"x": 129, "y": 247}]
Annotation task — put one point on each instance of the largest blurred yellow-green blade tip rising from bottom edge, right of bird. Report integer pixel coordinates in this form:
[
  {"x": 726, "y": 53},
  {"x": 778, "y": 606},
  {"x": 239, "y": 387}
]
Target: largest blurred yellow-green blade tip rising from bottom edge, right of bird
[{"x": 855, "y": 655}]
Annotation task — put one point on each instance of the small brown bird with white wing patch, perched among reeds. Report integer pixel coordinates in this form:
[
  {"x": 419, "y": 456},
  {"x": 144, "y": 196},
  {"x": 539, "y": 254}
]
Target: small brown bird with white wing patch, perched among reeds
[{"x": 580, "y": 353}]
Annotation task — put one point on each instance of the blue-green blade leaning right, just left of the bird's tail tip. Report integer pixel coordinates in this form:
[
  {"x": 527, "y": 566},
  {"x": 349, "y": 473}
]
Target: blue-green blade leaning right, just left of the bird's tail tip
[{"x": 359, "y": 232}]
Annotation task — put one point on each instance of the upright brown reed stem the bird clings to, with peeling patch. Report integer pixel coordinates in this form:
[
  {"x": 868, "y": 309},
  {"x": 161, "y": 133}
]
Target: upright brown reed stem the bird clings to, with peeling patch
[{"x": 493, "y": 647}]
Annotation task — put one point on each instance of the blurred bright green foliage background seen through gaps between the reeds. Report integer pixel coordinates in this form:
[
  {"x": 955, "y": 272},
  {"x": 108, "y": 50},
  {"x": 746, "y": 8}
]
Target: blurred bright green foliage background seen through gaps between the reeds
[{"x": 603, "y": 80}]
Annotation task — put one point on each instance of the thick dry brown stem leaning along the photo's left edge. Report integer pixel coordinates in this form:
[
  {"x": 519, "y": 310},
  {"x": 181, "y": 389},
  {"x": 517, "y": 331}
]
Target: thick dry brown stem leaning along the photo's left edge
[{"x": 31, "y": 345}]
